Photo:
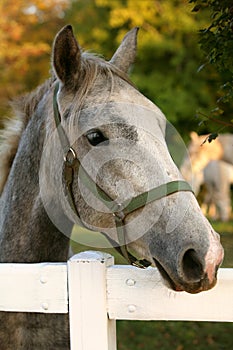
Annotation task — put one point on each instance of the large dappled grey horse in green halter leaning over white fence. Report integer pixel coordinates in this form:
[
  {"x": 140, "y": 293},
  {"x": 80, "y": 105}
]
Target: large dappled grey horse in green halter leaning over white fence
[{"x": 87, "y": 147}]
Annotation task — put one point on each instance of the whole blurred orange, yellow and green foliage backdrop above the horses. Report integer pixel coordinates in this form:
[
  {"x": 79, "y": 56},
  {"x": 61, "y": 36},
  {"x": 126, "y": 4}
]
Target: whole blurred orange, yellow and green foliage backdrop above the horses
[{"x": 170, "y": 69}]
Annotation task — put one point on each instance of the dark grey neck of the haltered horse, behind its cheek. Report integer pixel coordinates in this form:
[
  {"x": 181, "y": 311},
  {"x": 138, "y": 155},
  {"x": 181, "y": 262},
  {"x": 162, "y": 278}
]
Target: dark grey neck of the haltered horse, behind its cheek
[{"x": 26, "y": 232}]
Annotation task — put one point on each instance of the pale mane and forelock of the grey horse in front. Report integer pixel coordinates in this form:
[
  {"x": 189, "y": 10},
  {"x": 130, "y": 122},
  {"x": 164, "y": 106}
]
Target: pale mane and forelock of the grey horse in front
[{"x": 24, "y": 106}]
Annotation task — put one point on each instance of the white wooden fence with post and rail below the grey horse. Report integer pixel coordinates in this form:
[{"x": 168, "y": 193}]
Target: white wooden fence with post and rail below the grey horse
[{"x": 96, "y": 293}]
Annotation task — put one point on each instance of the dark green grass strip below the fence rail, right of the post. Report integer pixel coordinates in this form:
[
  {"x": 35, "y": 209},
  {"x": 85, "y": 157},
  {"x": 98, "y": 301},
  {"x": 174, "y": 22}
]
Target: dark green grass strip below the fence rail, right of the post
[{"x": 138, "y": 335}]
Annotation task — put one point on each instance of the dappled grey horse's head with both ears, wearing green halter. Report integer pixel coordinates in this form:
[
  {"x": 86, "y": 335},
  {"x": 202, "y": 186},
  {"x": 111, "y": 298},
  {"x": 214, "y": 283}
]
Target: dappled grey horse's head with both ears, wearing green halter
[{"x": 118, "y": 136}]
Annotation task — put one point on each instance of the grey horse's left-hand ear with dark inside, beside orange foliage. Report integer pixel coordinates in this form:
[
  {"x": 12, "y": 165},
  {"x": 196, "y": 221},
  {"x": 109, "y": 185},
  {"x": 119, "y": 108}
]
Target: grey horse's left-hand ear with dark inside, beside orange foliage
[{"x": 66, "y": 56}]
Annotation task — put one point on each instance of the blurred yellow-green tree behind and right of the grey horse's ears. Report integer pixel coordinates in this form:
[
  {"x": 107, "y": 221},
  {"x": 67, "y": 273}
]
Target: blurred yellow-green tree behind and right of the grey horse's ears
[{"x": 168, "y": 55}]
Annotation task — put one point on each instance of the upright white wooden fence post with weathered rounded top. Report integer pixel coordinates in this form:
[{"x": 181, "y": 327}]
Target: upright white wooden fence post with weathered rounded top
[{"x": 90, "y": 327}]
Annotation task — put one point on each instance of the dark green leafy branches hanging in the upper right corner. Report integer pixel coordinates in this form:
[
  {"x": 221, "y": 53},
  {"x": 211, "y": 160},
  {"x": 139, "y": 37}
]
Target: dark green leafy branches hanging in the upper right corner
[{"x": 216, "y": 40}]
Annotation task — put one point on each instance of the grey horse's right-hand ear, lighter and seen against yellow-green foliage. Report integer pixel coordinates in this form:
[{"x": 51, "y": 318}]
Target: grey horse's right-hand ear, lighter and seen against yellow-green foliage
[{"x": 125, "y": 55}]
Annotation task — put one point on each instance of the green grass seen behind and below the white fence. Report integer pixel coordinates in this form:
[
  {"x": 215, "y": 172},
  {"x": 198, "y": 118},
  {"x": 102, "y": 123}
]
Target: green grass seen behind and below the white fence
[{"x": 162, "y": 335}]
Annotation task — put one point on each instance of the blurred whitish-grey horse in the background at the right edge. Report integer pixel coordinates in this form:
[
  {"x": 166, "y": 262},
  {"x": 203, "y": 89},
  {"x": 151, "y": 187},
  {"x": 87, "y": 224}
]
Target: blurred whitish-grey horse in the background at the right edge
[{"x": 217, "y": 176}]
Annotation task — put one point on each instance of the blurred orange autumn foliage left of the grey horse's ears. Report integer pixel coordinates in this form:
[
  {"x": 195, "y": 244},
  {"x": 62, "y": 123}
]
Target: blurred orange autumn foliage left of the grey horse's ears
[{"x": 26, "y": 32}]
